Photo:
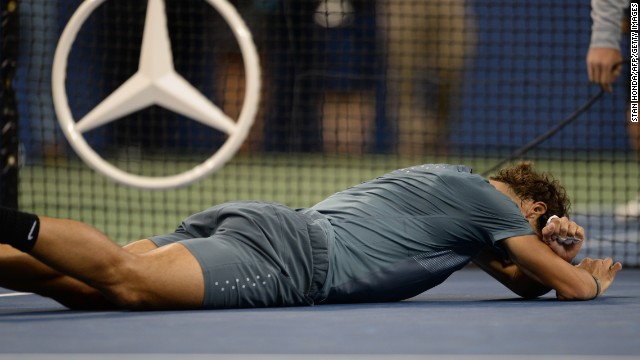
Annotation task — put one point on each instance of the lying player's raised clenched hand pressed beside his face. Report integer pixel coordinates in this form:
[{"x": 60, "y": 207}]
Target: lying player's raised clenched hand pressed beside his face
[{"x": 557, "y": 235}]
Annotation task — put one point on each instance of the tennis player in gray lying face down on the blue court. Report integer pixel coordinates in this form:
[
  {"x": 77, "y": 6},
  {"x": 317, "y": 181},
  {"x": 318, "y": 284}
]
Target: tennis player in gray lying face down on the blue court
[{"x": 388, "y": 239}]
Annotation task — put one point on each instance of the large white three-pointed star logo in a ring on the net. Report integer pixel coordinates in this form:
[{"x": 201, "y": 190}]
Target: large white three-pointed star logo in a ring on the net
[{"x": 157, "y": 83}]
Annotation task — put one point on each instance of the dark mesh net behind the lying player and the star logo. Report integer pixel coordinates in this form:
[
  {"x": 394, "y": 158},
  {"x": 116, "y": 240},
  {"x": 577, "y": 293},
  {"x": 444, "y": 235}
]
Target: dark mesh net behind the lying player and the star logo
[{"x": 351, "y": 89}]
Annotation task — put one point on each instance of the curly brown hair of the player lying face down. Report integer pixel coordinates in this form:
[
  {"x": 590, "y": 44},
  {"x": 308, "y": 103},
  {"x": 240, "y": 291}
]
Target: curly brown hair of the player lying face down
[{"x": 528, "y": 184}]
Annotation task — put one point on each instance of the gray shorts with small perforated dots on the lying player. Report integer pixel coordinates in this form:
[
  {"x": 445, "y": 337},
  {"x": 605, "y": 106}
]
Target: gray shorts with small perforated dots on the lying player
[{"x": 255, "y": 254}]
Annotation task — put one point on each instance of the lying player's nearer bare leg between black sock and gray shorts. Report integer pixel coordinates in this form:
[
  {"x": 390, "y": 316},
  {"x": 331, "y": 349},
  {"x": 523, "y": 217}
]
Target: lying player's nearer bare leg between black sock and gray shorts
[{"x": 163, "y": 278}]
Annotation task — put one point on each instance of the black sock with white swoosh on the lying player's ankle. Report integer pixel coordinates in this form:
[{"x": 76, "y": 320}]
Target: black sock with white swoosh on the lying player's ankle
[{"x": 18, "y": 229}]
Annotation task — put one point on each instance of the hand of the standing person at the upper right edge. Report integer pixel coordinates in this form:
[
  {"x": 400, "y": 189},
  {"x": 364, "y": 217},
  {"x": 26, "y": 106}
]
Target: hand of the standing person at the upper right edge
[{"x": 600, "y": 66}]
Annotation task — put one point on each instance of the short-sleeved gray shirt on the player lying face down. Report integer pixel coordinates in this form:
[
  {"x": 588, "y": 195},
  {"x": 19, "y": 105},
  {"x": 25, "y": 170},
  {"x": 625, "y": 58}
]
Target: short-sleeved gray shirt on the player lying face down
[{"x": 407, "y": 231}]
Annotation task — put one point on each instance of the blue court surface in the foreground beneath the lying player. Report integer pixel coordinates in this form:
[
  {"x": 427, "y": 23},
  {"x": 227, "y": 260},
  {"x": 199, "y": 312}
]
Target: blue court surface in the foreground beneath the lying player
[{"x": 469, "y": 316}]
